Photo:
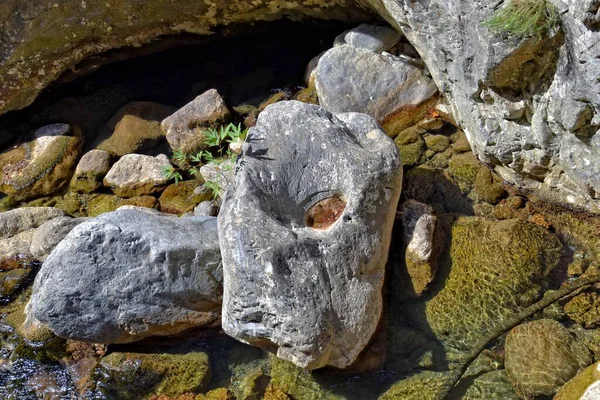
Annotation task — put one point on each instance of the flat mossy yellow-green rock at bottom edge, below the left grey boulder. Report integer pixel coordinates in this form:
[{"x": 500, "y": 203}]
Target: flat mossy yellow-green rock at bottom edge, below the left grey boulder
[{"x": 141, "y": 375}]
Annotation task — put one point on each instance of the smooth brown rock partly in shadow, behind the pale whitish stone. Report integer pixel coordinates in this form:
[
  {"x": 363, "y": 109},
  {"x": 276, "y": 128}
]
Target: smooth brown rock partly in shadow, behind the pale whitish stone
[{"x": 135, "y": 128}]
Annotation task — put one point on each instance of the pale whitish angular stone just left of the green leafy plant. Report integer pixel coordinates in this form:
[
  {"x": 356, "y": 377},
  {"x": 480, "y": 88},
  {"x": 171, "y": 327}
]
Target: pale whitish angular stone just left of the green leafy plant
[{"x": 137, "y": 175}]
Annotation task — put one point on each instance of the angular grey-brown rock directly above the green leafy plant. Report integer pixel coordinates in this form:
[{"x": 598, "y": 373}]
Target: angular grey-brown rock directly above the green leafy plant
[{"x": 185, "y": 129}]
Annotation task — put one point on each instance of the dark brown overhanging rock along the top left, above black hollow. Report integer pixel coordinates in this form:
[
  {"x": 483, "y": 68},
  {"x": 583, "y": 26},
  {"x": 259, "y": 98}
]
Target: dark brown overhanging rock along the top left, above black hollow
[{"x": 40, "y": 40}]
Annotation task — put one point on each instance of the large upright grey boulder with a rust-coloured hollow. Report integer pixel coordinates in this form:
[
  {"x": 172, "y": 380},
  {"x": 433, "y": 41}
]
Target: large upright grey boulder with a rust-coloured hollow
[{"x": 305, "y": 232}]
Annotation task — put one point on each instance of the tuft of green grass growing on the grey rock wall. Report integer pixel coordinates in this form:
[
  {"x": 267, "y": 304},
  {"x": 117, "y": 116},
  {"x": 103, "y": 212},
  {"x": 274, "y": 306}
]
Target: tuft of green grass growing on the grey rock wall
[{"x": 525, "y": 18}]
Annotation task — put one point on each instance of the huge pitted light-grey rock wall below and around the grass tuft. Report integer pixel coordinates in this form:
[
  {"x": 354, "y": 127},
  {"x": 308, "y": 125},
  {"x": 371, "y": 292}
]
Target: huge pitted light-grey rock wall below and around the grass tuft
[{"x": 529, "y": 107}]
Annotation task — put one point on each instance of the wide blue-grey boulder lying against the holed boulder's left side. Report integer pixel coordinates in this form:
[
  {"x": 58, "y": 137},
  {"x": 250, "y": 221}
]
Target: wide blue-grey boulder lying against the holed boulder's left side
[{"x": 134, "y": 274}]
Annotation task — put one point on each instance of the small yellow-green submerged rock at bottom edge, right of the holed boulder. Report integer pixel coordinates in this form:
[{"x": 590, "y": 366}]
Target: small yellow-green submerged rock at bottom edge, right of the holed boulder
[{"x": 424, "y": 385}]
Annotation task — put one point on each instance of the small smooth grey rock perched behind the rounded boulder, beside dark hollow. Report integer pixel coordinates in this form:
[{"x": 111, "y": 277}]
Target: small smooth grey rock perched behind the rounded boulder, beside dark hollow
[{"x": 370, "y": 37}]
